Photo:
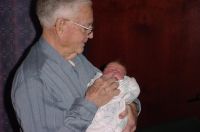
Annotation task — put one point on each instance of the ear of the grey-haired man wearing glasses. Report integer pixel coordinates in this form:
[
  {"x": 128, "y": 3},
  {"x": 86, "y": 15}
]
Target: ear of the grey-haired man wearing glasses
[{"x": 59, "y": 26}]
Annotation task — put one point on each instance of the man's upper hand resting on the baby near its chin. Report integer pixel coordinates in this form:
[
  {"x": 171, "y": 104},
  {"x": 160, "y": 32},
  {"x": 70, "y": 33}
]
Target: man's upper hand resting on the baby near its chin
[{"x": 103, "y": 90}]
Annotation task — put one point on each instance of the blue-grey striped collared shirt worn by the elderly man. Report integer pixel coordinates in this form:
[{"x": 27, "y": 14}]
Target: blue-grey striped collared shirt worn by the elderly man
[{"x": 48, "y": 92}]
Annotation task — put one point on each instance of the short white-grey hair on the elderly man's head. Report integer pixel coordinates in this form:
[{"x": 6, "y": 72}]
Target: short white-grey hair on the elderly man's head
[{"x": 49, "y": 10}]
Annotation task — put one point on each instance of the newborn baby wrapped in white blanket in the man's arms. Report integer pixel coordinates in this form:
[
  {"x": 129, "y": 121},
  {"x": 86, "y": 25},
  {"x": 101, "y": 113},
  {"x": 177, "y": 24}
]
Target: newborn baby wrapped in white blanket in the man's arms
[{"x": 107, "y": 117}]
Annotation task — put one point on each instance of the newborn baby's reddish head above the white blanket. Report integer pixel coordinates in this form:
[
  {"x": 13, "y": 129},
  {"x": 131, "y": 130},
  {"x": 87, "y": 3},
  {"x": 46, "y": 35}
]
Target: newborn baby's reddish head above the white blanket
[{"x": 115, "y": 68}]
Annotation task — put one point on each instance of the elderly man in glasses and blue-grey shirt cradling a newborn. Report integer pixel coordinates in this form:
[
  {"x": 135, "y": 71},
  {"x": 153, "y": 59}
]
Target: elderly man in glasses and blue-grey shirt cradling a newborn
[{"x": 50, "y": 91}]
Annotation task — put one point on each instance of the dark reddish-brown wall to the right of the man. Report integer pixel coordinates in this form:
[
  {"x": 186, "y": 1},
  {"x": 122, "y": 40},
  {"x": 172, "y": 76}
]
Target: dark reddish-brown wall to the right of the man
[{"x": 159, "y": 41}]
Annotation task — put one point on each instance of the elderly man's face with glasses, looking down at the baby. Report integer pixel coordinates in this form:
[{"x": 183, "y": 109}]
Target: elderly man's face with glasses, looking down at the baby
[{"x": 76, "y": 35}]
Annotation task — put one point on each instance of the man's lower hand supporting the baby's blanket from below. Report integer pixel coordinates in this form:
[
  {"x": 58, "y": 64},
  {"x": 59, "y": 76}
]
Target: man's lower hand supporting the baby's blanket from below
[{"x": 131, "y": 112}]
